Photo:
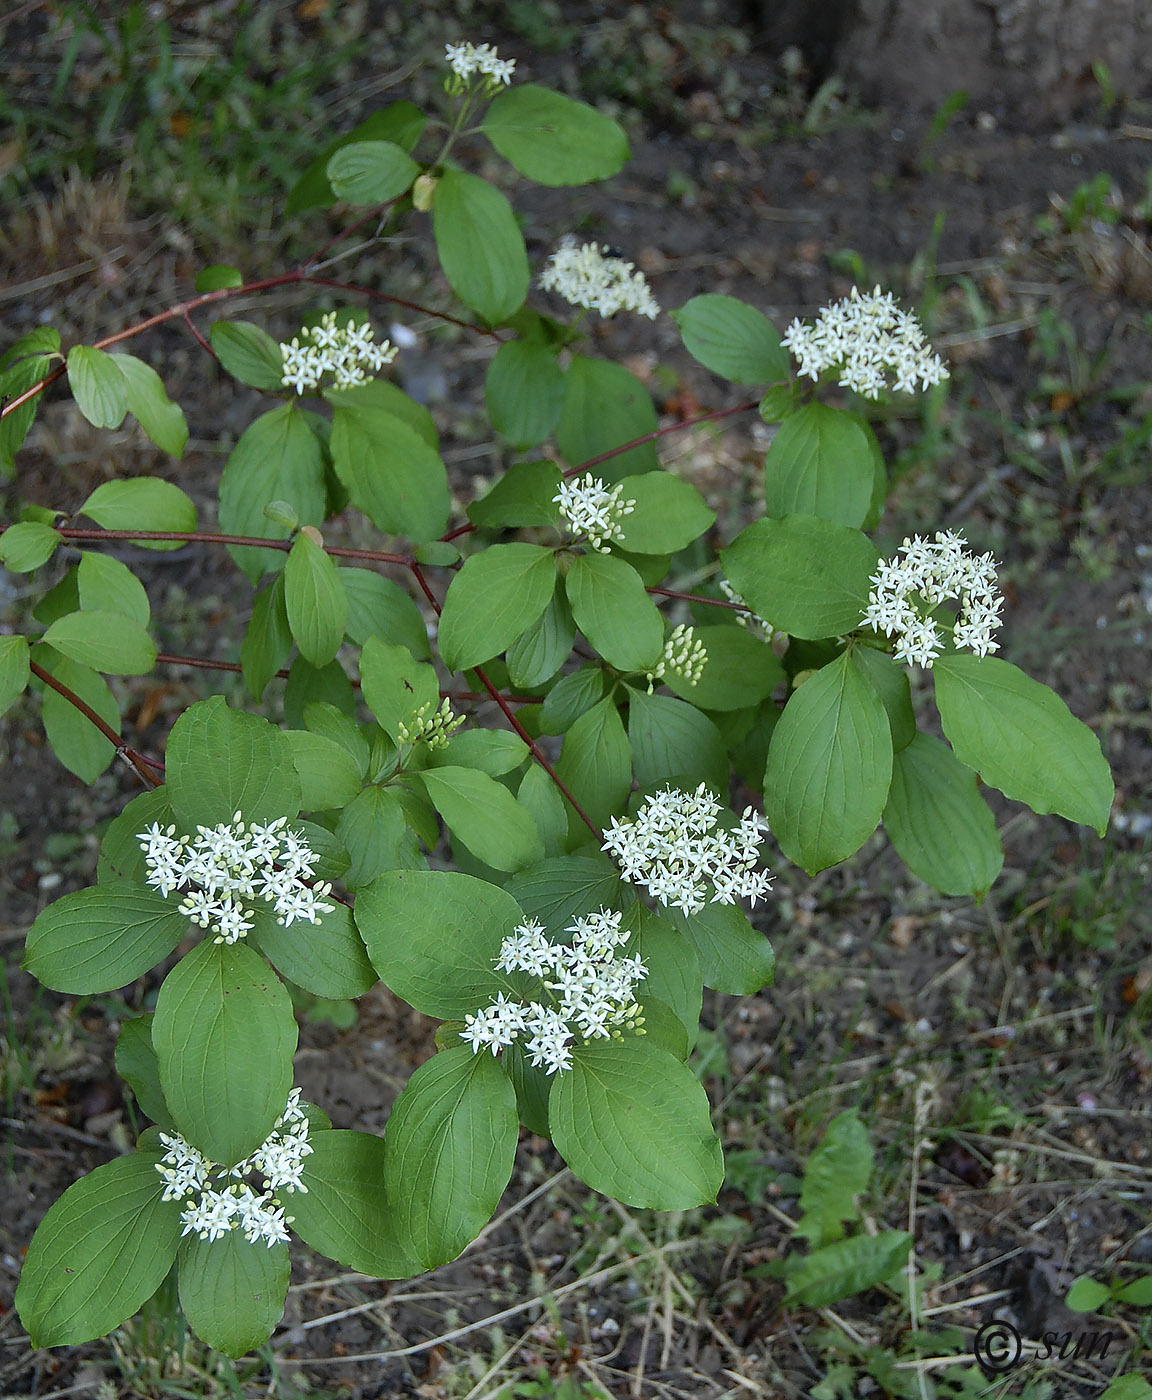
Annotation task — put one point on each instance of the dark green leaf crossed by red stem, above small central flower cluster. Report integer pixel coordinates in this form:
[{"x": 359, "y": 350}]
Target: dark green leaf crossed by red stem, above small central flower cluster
[{"x": 607, "y": 407}]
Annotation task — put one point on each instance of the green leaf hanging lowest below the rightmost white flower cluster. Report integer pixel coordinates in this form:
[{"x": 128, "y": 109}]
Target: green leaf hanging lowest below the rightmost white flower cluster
[{"x": 939, "y": 822}]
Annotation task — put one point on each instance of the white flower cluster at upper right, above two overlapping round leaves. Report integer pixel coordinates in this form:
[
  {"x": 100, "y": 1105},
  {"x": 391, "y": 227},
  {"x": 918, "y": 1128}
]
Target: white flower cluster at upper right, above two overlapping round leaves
[{"x": 866, "y": 337}]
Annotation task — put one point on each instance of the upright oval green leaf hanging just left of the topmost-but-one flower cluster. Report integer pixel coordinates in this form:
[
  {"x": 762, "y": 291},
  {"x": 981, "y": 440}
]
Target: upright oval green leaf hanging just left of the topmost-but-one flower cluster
[{"x": 479, "y": 244}]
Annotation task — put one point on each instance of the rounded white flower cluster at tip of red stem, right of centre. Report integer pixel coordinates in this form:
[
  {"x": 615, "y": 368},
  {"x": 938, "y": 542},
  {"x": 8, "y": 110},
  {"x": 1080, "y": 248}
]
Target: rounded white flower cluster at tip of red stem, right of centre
[{"x": 674, "y": 848}]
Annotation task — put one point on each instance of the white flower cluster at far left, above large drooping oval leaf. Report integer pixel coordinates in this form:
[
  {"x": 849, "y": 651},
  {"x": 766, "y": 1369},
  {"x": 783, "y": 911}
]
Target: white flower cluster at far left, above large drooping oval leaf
[{"x": 233, "y": 863}]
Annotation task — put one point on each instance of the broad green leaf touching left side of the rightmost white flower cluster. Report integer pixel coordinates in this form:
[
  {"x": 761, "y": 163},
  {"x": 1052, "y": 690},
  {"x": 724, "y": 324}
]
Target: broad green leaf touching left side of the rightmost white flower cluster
[{"x": 807, "y": 576}]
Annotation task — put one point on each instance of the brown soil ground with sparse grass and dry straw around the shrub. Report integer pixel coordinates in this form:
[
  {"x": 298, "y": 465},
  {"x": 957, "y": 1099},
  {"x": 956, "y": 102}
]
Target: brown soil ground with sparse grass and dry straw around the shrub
[{"x": 1000, "y": 1053}]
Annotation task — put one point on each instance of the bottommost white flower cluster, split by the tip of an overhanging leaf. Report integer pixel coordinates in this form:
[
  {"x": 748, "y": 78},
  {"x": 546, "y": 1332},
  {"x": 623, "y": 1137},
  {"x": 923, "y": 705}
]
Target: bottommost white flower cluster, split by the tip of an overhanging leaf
[{"x": 218, "y": 1200}]
